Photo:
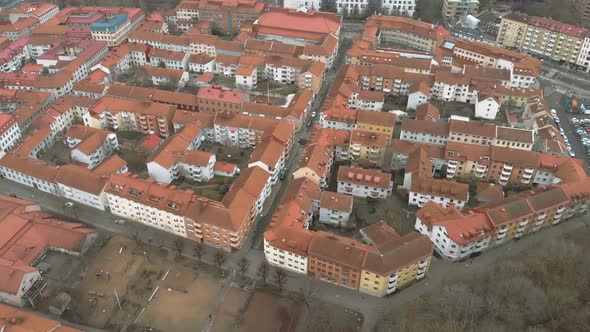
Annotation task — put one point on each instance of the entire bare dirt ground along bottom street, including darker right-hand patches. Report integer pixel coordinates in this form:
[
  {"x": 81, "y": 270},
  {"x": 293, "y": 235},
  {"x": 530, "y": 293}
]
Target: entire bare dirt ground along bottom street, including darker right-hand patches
[{"x": 158, "y": 294}]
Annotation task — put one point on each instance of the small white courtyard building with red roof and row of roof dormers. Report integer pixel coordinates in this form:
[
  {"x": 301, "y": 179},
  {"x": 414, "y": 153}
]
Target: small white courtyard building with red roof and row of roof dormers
[{"x": 362, "y": 182}]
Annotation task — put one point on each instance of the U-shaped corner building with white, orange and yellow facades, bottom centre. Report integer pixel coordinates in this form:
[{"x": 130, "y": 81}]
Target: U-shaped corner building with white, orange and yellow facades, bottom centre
[{"x": 386, "y": 263}]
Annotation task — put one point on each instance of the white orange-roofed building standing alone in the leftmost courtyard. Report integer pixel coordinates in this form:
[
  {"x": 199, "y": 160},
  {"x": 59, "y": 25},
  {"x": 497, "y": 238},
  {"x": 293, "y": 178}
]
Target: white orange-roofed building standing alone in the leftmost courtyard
[{"x": 90, "y": 146}]
